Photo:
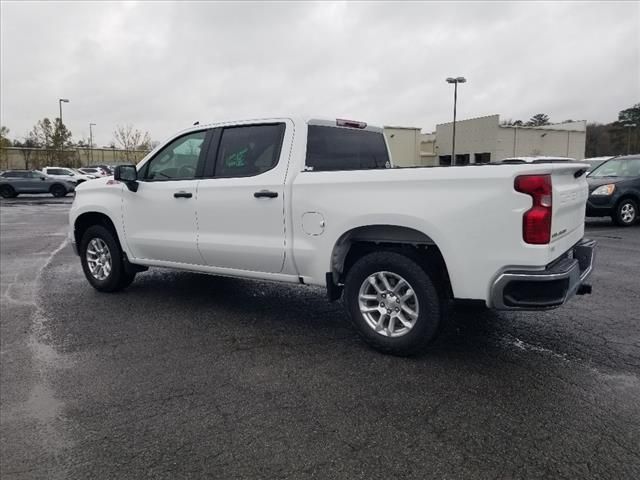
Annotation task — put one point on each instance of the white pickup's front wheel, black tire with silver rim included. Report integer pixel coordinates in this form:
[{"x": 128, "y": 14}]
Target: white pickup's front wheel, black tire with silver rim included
[{"x": 102, "y": 260}]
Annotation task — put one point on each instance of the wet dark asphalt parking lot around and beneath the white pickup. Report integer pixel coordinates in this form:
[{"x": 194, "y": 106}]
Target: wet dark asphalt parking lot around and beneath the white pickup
[{"x": 186, "y": 375}]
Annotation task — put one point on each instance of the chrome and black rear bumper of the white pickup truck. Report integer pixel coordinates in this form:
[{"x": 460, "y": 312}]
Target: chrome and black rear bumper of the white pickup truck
[{"x": 548, "y": 288}]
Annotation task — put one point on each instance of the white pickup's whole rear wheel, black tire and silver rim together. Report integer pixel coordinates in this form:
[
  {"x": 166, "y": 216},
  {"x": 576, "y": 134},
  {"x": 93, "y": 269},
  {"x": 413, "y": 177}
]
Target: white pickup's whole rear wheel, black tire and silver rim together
[{"x": 392, "y": 302}]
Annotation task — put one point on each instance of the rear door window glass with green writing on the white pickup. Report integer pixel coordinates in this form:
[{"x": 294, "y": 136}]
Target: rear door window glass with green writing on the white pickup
[{"x": 250, "y": 150}]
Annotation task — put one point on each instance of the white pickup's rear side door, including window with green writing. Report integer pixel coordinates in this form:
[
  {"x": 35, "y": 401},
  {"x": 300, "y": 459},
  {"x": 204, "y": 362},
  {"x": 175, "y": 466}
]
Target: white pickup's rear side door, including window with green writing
[{"x": 240, "y": 202}]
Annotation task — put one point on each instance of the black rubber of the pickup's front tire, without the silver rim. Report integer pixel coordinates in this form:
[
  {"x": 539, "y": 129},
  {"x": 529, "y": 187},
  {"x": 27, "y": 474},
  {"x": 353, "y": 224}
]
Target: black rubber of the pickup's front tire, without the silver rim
[{"x": 118, "y": 278}]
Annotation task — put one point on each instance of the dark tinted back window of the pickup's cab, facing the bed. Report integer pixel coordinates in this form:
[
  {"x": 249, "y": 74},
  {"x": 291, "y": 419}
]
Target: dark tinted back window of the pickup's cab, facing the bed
[{"x": 333, "y": 148}]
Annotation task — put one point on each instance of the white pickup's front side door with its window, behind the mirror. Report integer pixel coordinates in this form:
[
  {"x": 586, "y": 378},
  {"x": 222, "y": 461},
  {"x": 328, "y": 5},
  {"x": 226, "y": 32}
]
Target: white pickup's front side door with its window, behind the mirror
[{"x": 160, "y": 218}]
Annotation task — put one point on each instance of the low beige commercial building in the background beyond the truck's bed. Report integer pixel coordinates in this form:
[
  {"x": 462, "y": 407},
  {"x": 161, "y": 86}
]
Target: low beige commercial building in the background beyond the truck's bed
[{"x": 483, "y": 140}]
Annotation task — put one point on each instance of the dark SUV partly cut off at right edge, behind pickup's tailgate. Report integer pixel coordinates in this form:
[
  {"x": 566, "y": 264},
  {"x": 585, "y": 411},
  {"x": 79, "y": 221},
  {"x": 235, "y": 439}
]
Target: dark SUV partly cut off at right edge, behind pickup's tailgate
[{"x": 614, "y": 190}]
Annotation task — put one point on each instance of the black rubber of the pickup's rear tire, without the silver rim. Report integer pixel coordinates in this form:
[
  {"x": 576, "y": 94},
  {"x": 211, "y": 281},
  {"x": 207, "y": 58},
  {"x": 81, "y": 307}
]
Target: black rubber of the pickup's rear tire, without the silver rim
[{"x": 430, "y": 310}]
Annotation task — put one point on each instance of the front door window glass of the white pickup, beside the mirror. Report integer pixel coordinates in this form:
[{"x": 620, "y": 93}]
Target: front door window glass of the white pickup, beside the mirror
[{"x": 178, "y": 160}]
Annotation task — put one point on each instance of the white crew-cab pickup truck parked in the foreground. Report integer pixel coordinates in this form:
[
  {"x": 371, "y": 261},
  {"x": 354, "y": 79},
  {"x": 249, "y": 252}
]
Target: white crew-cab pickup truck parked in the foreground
[{"x": 318, "y": 202}]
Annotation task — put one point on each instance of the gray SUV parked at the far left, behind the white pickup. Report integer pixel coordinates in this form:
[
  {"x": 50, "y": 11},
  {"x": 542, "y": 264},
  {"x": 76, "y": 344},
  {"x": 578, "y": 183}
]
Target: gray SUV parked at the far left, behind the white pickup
[{"x": 15, "y": 182}]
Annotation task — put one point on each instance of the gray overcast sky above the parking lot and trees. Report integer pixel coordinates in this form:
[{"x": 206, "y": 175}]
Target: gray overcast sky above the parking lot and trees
[{"x": 163, "y": 65}]
